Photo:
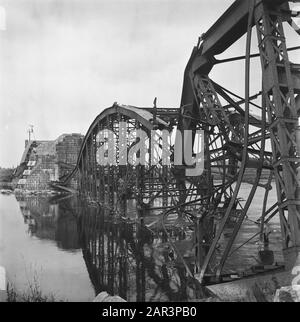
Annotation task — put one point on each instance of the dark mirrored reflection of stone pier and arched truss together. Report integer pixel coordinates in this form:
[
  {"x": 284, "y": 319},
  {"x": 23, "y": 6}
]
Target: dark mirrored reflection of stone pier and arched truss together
[{"x": 121, "y": 257}]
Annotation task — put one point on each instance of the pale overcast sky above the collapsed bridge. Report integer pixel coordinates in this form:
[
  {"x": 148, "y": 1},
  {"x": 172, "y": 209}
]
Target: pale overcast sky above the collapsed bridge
[{"x": 63, "y": 61}]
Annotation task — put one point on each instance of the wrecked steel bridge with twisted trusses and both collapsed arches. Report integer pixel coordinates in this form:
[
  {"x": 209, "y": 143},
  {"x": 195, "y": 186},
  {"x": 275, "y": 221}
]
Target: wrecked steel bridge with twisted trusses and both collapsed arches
[{"x": 206, "y": 207}]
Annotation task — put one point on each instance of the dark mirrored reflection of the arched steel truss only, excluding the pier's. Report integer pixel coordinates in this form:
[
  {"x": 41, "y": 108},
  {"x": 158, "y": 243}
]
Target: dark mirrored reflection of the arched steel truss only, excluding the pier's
[{"x": 127, "y": 259}]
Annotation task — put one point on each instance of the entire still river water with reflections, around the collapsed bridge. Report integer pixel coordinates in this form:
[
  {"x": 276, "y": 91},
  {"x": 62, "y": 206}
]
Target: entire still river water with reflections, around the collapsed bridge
[{"x": 74, "y": 251}]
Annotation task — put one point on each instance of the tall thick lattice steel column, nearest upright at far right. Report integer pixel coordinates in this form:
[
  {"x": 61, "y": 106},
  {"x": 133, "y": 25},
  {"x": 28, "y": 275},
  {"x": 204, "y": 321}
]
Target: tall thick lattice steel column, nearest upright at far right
[{"x": 279, "y": 93}]
